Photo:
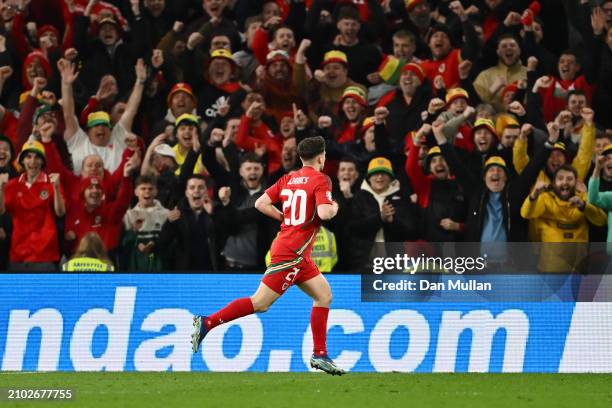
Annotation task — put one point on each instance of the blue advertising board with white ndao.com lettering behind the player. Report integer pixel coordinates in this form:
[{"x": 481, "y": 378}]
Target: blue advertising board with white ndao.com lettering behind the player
[{"x": 97, "y": 322}]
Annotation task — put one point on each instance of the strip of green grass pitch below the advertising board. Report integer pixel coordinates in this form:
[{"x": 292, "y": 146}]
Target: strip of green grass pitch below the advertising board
[{"x": 311, "y": 390}]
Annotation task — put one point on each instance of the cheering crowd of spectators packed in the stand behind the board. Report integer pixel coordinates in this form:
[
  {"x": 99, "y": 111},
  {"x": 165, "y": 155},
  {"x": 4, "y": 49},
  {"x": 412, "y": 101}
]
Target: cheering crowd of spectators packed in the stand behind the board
[{"x": 157, "y": 124}]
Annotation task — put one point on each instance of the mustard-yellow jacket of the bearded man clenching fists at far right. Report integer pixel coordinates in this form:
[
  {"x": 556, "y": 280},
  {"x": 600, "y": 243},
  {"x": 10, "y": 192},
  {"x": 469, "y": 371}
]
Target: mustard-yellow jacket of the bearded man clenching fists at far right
[{"x": 560, "y": 224}]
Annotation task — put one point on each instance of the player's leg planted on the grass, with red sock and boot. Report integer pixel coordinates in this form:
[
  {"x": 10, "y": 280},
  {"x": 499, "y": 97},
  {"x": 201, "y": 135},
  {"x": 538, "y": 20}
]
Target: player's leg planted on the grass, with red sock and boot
[{"x": 319, "y": 290}]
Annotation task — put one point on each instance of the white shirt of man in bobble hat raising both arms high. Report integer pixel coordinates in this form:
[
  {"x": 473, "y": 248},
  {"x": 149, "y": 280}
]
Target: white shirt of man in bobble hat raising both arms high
[{"x": 80, "y": 147}]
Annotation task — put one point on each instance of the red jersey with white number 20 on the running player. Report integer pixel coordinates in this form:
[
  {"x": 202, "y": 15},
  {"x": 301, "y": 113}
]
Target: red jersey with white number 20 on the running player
[{"x": 300, "y": 192}]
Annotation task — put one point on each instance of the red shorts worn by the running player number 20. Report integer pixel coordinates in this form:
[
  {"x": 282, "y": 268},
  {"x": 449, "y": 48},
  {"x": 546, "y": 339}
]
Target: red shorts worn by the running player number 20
[{"x": 283, "y": 273}]
